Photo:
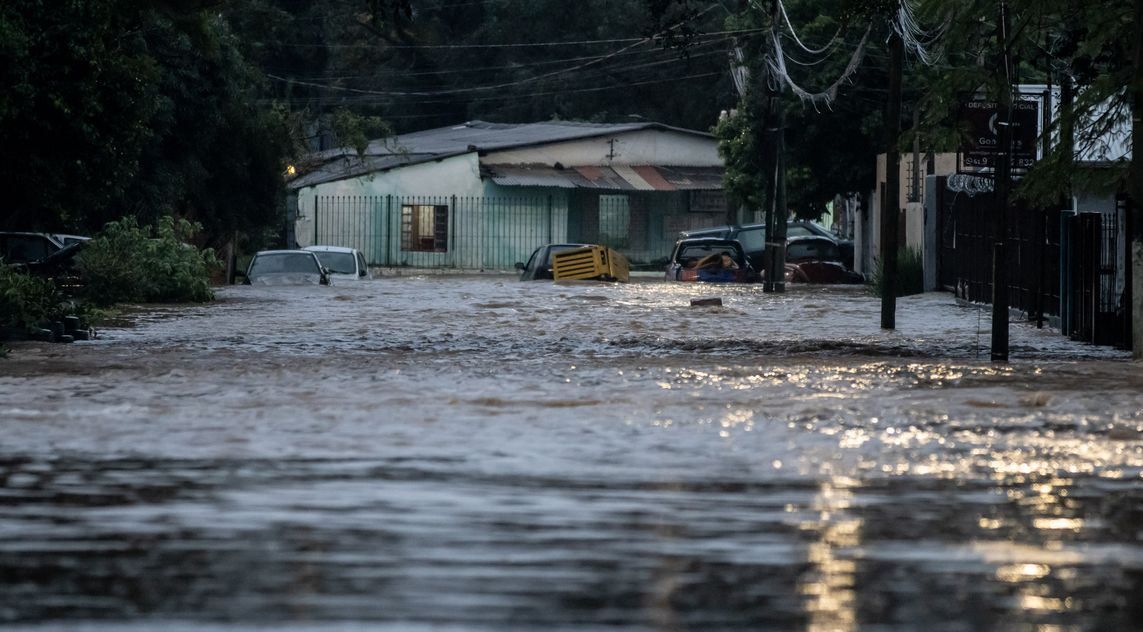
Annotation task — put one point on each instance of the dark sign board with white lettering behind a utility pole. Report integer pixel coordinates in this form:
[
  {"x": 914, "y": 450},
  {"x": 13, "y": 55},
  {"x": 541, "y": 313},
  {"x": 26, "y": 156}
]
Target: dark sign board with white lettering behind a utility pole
[{"x": 982, "y": 145}]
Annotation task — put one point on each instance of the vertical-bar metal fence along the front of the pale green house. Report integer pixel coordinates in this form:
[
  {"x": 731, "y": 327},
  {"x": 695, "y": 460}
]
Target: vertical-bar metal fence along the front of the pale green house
[{"x": 494, "y": 233}]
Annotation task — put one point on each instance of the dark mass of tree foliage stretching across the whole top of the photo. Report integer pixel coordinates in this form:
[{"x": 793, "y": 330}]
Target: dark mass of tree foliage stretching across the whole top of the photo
[{"x": 114, "y": 108}]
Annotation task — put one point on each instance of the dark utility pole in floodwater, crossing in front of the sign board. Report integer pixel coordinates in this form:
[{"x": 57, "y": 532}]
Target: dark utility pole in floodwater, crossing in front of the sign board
[{"x": 1002, "y": 186}]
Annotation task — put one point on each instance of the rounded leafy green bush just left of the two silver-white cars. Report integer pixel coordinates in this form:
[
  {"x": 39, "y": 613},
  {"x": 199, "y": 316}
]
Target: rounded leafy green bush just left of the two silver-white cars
[{"x": 127, "y": 263}]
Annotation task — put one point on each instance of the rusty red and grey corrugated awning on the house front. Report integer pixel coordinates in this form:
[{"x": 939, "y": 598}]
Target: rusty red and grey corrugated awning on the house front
[{"x": 619, "y": 178}]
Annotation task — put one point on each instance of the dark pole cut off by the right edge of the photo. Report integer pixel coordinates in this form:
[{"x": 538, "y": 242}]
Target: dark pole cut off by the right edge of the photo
[{"x": 1136, "y": 212}]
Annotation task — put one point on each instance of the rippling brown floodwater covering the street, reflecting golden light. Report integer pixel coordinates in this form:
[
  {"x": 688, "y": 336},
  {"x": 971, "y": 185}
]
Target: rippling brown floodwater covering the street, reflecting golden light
[{"x": 473, "y": 453}]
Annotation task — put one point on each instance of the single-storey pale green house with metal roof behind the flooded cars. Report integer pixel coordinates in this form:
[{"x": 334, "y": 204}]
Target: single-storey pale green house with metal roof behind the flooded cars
[{"x": 483, "y": 196}]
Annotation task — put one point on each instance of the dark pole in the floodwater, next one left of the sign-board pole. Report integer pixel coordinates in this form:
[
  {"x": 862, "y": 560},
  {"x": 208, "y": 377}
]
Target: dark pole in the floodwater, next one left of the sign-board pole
[{"x": 891, "y": 209}]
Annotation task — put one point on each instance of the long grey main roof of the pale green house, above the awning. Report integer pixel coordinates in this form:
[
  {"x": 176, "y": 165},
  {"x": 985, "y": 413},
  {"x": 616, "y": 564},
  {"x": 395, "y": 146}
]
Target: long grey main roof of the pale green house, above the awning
[{"x": 474, "y": 137}]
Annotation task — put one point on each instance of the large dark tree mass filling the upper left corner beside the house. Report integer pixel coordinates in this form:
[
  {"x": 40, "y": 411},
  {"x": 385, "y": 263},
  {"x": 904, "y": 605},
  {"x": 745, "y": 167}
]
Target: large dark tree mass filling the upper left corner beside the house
[{"x": 143, "y": 109}]
